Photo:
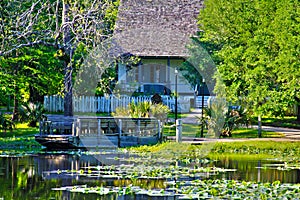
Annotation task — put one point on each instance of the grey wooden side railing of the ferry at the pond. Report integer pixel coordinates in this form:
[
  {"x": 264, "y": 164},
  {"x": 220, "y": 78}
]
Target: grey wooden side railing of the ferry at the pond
[{"x": 119, "y": 130}]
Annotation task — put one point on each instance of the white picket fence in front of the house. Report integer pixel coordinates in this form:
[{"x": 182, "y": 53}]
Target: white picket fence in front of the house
[{"x": 108, "y": 104}]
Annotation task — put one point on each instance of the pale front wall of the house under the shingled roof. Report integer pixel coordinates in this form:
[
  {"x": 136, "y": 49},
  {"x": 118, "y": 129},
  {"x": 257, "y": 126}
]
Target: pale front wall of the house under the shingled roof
[{"x": 154, "y": 70}]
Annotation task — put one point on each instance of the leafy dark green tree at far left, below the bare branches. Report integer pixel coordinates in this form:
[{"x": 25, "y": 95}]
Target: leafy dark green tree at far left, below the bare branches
[{"x": 30, "y": 76}]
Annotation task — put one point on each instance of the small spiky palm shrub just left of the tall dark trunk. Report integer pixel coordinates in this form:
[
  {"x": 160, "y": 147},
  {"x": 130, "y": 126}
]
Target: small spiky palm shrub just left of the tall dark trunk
[{"x": 32, "y": 113}]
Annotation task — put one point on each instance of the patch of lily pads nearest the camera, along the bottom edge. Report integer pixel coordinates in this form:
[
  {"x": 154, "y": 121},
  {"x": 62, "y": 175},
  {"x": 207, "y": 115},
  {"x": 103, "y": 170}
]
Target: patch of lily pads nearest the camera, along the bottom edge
[{"x": 201, "y": 189}]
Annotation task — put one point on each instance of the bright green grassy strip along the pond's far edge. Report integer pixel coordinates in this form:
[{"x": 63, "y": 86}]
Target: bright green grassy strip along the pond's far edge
[{"x": 288, "y": 151}]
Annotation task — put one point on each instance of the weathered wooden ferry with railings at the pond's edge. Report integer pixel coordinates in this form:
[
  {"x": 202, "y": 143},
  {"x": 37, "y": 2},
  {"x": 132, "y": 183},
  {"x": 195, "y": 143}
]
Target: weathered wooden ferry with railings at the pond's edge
[{"x": 82, "y": 132}]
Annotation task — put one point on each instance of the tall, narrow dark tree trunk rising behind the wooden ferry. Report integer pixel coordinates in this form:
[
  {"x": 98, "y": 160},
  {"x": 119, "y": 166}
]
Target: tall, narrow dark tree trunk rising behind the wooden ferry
[{"x": 68, "y": 100}]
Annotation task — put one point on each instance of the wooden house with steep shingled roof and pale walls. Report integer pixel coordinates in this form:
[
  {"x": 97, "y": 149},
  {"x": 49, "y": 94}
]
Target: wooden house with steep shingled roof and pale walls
[{"x": 157, "y": 32}]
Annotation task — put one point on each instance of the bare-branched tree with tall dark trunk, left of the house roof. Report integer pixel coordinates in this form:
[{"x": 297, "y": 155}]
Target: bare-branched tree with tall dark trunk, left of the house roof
[{"x": 60, "y": 24}]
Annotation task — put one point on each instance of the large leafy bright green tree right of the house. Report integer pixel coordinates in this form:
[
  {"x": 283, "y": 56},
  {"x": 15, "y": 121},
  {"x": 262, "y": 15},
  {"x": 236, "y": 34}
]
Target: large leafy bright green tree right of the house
[{"x": 259, "y": 51}]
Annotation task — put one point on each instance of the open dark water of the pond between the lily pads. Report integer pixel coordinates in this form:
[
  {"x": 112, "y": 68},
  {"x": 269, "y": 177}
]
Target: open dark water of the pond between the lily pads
[{"x": 29, "y": 177}]
